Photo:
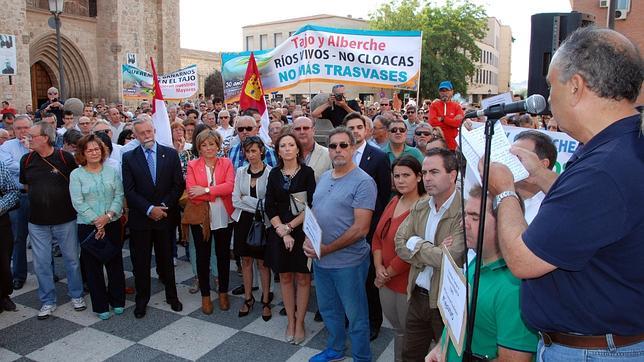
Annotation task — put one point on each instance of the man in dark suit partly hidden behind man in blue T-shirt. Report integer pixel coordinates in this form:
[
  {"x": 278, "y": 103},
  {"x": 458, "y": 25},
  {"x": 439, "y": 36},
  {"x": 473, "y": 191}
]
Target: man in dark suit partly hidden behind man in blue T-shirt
[{"x": 376, "y": 163}]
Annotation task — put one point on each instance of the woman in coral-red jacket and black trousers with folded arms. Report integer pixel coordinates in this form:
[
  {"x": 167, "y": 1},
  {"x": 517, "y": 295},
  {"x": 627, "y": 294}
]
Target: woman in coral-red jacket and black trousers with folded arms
[{"x": 211, "y": 179}]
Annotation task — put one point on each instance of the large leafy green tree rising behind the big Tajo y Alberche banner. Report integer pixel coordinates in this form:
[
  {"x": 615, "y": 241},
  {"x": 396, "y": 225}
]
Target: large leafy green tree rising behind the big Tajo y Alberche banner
[{"x": 450, "y": 33}]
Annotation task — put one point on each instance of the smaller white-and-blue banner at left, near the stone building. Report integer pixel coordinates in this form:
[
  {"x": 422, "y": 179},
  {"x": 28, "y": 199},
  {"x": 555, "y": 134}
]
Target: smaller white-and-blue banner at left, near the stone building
[{"x": 180, "y": 84}]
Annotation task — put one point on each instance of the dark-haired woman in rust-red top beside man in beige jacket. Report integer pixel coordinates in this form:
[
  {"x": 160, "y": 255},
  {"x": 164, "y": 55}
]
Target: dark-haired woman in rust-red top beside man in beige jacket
[{"x": 391, "y": 271}]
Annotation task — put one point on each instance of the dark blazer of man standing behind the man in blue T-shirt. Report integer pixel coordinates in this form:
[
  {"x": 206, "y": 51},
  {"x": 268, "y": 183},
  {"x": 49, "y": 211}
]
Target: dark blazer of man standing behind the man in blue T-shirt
[{"x": 376, "y": 163}]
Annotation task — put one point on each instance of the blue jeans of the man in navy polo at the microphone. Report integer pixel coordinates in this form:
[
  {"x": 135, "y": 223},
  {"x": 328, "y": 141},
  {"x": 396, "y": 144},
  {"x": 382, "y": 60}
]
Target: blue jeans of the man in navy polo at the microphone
[{"x": 559, "y": 353}]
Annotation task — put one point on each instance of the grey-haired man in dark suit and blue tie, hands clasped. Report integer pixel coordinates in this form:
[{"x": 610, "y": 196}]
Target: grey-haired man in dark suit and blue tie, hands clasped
[{"x": 153, "y": 183}]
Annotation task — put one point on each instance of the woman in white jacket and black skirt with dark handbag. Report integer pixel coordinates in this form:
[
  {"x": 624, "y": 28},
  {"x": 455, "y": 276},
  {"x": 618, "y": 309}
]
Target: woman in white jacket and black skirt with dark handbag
[{"x": 250, "y": 187}]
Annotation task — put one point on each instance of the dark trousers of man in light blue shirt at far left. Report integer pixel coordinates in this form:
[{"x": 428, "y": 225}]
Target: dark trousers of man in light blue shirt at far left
[{"x": 19, "y": 229}]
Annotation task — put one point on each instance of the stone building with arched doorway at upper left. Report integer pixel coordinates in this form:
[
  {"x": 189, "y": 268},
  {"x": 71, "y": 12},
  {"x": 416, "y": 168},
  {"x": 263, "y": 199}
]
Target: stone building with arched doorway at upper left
[{"x": 96, "y": 37}]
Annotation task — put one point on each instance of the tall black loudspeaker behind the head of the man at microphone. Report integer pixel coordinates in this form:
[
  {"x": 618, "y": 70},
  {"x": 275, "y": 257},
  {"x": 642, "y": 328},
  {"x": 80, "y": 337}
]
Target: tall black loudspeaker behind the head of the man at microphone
[{"x": 549, "y": 30}]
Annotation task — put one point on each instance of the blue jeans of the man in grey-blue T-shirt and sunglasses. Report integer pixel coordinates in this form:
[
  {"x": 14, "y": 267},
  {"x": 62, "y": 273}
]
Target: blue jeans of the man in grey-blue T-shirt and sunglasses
[{"x": 341, "y": 292}]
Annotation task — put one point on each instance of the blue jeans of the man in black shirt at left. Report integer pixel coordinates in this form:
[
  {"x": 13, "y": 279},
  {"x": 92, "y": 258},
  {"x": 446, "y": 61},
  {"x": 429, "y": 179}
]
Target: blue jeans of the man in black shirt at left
[{"x": 41, "y": 241}]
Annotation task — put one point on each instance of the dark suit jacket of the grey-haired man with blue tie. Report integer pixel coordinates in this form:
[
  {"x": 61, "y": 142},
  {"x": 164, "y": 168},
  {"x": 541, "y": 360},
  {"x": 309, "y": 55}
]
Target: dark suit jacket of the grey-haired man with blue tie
[{"x": 141, "y": 193}]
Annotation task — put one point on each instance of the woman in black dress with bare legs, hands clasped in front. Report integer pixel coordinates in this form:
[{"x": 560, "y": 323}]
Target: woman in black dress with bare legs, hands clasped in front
[{"x": 290, "y": 189}]
